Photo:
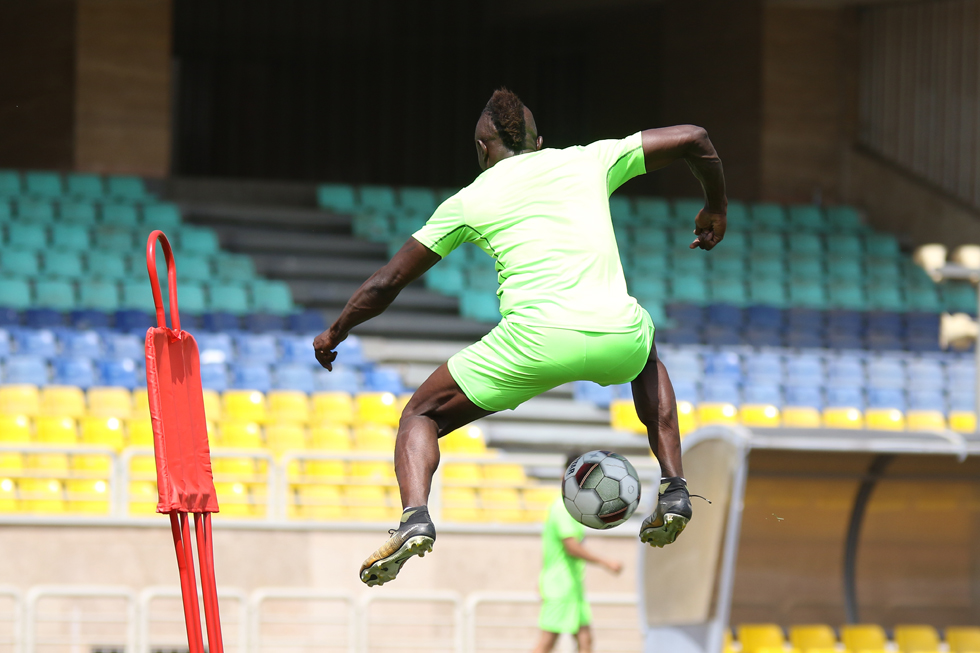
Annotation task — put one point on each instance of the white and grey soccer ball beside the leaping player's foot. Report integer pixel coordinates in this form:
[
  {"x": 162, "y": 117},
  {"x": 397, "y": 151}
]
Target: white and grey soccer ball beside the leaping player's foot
[{"x": 601, "y": 489}]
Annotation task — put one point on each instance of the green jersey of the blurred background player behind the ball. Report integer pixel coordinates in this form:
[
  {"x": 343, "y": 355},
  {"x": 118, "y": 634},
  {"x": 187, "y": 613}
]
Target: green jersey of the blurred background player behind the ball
[{"x": 562, "y": 575}]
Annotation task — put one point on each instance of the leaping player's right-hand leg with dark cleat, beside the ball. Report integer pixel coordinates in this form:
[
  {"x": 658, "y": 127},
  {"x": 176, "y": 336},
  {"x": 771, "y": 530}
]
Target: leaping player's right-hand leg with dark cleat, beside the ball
[{"x": 656, "y": 406}]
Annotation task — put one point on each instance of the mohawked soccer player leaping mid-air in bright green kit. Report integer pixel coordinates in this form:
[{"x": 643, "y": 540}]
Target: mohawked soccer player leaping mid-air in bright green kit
[{"x": 543, "y": 215}]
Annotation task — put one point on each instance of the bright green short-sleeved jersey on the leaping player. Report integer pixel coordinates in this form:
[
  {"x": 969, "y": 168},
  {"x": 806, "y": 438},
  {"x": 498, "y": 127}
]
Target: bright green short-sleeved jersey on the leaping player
[{"x": 544, "y": 217}]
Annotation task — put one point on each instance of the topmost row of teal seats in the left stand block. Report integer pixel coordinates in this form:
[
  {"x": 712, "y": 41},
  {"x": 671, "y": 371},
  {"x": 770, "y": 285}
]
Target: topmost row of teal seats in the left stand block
[{"x": 51, "y": 185}]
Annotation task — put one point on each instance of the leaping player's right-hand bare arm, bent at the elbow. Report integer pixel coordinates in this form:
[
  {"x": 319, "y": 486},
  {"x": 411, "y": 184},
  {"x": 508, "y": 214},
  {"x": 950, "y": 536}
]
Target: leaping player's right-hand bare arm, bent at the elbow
[{"x": 663, "y": 146}]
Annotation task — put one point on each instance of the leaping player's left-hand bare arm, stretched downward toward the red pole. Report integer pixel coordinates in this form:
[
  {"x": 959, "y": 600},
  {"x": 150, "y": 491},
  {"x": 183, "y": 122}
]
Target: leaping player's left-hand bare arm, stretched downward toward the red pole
[{"x": 374, "y": 296}]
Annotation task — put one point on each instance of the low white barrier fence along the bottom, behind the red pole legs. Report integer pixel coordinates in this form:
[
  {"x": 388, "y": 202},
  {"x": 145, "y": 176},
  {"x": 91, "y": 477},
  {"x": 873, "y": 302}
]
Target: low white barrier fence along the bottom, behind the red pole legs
[{"x": 107, "y": 619}]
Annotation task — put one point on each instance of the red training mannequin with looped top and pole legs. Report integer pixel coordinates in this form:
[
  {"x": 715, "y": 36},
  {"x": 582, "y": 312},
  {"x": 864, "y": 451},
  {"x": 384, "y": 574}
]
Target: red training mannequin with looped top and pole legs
[{"x": 180, "y": 446}]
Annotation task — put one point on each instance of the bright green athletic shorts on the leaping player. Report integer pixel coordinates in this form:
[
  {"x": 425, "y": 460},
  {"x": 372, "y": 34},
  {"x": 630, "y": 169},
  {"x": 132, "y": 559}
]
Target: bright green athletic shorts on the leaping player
[{"x": 515, "y": 362}]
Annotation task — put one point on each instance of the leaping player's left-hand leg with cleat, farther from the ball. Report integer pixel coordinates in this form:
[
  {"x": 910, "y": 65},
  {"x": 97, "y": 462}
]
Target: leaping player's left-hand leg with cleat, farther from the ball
[{"x": 438, "y": 407}]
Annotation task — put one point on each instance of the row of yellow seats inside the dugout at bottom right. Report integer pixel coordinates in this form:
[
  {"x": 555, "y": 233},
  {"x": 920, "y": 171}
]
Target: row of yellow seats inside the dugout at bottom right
[{"x": 854, "y": 638}]
